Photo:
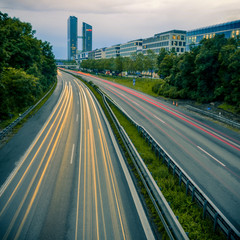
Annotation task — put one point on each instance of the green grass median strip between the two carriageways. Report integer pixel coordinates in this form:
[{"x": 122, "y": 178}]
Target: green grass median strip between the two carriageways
[{"x": 189, "y": 213}]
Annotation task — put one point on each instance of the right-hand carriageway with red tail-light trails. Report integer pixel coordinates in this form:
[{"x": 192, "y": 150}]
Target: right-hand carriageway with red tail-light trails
[{"x": 209, "y": 153}]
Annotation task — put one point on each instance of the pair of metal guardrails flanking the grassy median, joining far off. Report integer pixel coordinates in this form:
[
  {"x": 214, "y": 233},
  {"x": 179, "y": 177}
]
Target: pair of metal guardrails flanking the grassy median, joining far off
[{"x": 192, "y": 188}]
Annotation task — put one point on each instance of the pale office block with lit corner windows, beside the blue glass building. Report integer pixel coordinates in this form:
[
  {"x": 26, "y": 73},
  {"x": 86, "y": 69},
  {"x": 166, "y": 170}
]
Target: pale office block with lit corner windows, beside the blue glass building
[{"x": 171, "y": 40}]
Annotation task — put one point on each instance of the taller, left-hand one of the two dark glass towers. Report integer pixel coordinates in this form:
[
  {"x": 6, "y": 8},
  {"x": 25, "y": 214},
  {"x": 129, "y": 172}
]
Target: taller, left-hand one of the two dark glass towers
[{"x": 72, "y": 37}]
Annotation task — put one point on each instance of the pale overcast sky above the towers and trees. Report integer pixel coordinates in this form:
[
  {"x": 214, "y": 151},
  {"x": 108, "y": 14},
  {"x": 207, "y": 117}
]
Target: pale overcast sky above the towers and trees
[{"x": 117, "y": 21}]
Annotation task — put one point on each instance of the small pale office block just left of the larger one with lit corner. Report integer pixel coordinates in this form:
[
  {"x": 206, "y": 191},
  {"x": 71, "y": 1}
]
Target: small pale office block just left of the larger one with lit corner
[{"x": 130, "y": 47}]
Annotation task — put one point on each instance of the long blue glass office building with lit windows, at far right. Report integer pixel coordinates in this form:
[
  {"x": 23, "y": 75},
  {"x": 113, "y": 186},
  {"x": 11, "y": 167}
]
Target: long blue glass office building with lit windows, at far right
[{"x": 229, "y": 29}]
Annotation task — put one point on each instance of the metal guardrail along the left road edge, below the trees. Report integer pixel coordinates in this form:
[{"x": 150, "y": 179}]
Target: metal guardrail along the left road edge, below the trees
[{"x": 9, "y": 128}]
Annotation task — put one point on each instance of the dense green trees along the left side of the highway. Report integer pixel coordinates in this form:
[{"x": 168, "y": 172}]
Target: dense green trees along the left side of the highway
[{"x": 27, "y": 66}]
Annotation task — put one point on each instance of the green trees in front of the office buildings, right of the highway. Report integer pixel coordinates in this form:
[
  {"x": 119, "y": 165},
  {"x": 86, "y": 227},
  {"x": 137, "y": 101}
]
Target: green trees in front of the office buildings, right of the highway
[{"x": 208, "y": 72}]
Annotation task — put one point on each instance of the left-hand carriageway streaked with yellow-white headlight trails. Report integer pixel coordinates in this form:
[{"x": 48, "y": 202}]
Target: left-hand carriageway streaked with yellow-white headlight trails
[{"x": 72, "y": 181}]
